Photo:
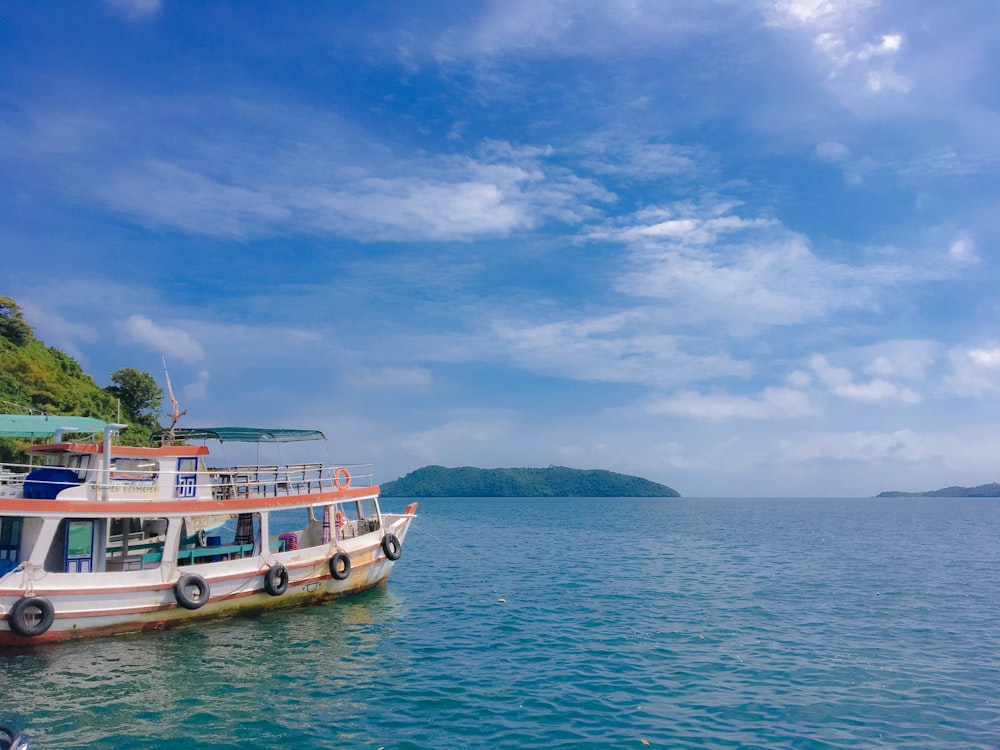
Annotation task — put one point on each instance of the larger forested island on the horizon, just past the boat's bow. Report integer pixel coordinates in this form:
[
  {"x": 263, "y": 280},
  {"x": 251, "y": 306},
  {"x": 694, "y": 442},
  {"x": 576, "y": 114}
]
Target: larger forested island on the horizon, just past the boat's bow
[{"x": 555, "y": 481}]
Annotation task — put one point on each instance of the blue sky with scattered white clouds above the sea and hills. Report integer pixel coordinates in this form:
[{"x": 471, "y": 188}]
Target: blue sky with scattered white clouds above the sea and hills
[{"x": 741, "y": 248}]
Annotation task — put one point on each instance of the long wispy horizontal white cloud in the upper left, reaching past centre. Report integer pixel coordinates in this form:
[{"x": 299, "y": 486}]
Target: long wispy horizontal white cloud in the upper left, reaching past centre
[{"x": 503, "y": 189}]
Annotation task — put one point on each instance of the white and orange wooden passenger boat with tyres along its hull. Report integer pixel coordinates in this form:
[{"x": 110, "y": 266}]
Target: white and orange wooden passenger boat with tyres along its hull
[{"x": 100, "y": 538}]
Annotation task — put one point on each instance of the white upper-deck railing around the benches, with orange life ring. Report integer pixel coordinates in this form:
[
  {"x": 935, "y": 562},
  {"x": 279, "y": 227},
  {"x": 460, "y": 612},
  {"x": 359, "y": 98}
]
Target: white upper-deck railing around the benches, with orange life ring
[{"x": 291, "y": 479}]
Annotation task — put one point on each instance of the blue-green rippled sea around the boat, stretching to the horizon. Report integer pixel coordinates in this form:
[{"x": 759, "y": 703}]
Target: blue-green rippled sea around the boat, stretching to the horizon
[{"x": 580, "y": 623}]
